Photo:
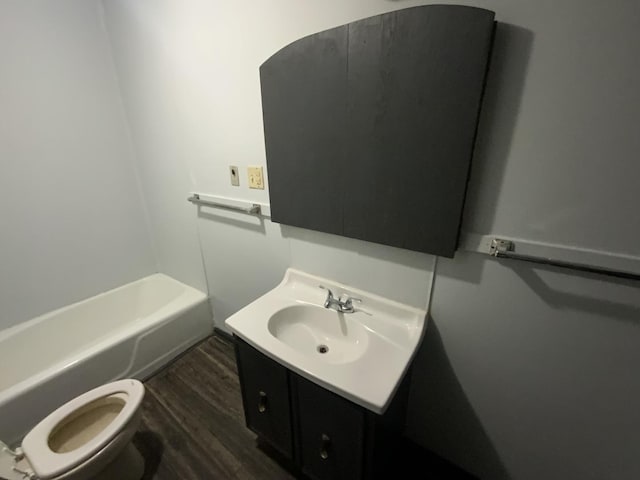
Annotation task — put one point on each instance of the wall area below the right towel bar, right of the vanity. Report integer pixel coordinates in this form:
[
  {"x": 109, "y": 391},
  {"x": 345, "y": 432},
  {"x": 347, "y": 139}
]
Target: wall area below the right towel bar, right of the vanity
[{"x": 530, "y": 372}]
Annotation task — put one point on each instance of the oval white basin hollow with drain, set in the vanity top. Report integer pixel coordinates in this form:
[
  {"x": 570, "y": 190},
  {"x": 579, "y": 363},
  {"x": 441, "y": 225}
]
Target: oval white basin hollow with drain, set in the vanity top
[{"x": 325, "y": 334}]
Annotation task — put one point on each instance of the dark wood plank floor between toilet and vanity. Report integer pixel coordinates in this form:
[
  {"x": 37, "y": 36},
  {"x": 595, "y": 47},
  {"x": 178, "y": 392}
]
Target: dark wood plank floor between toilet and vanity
[{"x": 193, "y": 423}]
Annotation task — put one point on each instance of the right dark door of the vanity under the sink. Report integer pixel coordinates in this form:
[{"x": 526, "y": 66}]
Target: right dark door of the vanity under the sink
[{"x": 331, "y": 433}]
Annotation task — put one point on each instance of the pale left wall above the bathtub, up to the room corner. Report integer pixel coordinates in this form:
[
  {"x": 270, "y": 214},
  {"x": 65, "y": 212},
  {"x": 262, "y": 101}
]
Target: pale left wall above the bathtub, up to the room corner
[{"x": 71, "y": 216}]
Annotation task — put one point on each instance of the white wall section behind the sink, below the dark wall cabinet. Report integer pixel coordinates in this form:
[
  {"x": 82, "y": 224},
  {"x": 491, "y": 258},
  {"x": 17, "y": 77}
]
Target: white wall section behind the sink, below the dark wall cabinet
[{"x": 245, "y": 258}]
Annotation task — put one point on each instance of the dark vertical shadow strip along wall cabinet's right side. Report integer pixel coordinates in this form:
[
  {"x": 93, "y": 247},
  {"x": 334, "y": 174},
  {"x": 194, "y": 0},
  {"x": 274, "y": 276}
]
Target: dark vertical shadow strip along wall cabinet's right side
[{"x": 498, "y": 119}]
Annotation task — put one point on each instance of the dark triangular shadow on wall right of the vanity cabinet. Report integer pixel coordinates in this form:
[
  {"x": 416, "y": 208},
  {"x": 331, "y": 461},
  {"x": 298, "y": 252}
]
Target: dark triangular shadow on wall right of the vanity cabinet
[{"x": 438, "y": 400}]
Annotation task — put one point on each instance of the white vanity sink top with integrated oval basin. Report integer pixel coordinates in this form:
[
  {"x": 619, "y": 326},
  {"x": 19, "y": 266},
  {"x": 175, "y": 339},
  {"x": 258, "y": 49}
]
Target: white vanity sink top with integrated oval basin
[{"x": 361, "y": 356}]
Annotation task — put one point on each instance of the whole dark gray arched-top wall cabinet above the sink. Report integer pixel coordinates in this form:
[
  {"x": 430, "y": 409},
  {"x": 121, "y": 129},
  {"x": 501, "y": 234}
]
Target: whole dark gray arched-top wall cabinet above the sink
[{"x": 369, "y": 127}]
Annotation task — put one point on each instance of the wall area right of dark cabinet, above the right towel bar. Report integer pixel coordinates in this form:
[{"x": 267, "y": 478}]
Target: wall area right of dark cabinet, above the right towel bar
[{"x": 557, "y": 161}]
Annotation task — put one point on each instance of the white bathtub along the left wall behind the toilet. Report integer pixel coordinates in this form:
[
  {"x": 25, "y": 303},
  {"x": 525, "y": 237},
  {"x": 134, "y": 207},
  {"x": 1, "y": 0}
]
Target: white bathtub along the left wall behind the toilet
[{"x": 130, "y": 331}]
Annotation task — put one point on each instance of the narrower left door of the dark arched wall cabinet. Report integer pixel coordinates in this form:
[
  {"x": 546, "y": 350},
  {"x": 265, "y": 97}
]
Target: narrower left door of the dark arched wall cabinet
[{"x": 302, "y": 87}]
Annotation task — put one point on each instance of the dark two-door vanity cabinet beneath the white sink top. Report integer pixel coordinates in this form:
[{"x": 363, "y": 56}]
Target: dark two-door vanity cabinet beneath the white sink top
[{"x": 326, "y": 436}]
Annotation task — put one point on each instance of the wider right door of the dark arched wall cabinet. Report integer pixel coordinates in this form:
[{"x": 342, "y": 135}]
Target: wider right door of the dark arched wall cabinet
[{"x": 415, "y": 83}]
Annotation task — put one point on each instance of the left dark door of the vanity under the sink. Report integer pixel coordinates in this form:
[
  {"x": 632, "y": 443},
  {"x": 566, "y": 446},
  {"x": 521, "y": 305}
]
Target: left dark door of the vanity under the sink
[{"x": 265, "y": 396}]
